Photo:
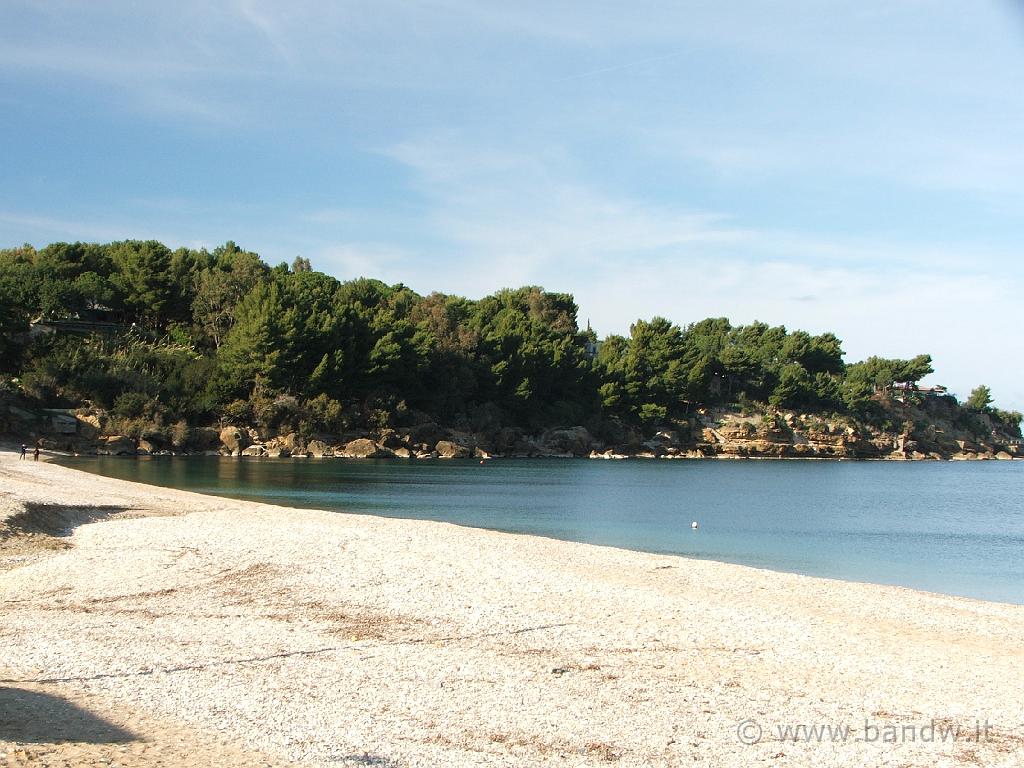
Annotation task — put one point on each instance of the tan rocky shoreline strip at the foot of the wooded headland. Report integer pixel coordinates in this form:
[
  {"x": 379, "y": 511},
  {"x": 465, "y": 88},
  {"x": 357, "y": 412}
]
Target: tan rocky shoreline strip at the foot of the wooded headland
[{"x": 908, "y": 434}]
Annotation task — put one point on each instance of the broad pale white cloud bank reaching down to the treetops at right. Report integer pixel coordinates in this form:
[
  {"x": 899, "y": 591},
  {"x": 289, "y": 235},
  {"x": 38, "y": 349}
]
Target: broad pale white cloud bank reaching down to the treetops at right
[{"x": 519, "y": 221}]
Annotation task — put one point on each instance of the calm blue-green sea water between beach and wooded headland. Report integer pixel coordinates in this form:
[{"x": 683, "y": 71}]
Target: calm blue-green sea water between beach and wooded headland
[{"x": 952, "y": 528}]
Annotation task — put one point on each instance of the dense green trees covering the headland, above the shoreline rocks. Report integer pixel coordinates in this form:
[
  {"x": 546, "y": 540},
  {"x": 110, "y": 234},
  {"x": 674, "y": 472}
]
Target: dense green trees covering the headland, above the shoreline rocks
[{"x": 160, "y": 337}]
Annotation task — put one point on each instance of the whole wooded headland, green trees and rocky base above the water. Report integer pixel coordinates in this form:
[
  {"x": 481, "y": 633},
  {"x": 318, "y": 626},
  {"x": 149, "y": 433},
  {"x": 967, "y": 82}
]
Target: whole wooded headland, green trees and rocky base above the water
[{"x": 156, "y": 348}]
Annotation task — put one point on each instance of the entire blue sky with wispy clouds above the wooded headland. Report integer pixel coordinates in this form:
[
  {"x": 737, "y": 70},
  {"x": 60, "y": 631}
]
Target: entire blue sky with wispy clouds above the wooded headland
[{"x": 855, "y": 167}]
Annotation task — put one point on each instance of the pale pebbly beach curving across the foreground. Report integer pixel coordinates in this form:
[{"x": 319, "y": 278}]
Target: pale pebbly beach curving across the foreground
[{"x": 169, "y": 624}]
